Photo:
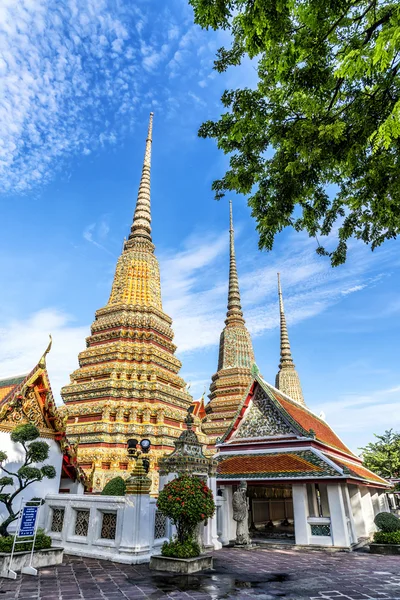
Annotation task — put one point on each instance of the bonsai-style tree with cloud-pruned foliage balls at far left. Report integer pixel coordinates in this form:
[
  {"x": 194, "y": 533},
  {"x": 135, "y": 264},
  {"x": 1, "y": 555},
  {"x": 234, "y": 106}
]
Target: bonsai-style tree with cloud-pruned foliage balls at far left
[{"x": 28, "y": 473}]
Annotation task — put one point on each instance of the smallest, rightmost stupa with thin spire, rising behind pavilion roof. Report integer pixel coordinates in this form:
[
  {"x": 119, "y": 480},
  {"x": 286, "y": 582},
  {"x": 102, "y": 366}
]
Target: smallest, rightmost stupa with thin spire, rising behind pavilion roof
[{"x": 287, "y": 379}]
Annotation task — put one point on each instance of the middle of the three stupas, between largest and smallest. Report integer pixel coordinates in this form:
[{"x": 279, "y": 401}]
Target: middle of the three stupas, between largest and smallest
[{"x": 236, "y": 358}]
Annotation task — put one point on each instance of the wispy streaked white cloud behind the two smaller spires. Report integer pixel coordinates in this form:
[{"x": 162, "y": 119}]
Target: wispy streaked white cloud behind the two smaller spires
[{"x": 195, "y": 286}]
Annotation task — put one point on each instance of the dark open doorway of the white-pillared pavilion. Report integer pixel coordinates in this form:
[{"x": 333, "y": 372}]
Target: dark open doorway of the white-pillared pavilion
[{"x": 271, "y": 512}]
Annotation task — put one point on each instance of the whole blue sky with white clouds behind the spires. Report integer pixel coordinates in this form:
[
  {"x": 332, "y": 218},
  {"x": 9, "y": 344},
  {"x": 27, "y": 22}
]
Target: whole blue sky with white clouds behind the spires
[{"x": 78, "y": 80}]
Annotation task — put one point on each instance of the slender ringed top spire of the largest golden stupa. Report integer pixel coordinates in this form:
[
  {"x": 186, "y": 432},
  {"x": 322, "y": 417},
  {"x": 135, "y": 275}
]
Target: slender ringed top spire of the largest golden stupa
[{"x": 141, "y": 226}]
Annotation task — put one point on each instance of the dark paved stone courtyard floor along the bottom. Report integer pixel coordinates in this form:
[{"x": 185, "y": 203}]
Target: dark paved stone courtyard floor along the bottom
[{"x": 265, "y": 574}]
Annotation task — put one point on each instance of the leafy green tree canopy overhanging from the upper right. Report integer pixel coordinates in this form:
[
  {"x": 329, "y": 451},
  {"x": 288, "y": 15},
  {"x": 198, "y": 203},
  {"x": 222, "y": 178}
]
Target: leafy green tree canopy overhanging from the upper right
[{"x": 316, "y": 144}]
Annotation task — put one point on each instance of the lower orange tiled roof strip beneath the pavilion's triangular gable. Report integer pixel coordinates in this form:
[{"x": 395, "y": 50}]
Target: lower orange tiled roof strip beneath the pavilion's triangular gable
[{"x": 266, "y": 463}]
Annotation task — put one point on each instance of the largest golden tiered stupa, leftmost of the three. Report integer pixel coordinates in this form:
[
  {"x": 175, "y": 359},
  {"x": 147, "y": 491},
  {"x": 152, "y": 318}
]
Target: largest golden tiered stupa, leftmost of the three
[{"x": 128, "y": 384}]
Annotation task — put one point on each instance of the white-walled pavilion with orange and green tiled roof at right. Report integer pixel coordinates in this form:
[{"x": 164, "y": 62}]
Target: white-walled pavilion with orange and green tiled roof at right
[{"x": 303, "y": 482}]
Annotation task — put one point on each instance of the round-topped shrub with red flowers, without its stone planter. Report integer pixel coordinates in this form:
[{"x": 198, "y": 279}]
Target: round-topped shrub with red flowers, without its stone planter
[{"x": 187, "y": 501}]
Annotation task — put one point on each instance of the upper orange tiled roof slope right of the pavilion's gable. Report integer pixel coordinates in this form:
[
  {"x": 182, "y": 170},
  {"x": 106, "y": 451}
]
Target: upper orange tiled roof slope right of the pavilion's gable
[{"x": 308, "y": 421}]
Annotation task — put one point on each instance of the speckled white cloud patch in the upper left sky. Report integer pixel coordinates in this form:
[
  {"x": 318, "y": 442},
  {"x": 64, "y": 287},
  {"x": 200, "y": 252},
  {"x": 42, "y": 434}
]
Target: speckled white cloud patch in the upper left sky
[{"x": 72, "y": 74}]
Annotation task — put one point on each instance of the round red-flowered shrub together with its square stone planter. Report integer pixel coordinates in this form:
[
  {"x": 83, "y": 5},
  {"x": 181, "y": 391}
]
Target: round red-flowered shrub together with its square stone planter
[{"x": 187, "y": 502}]
